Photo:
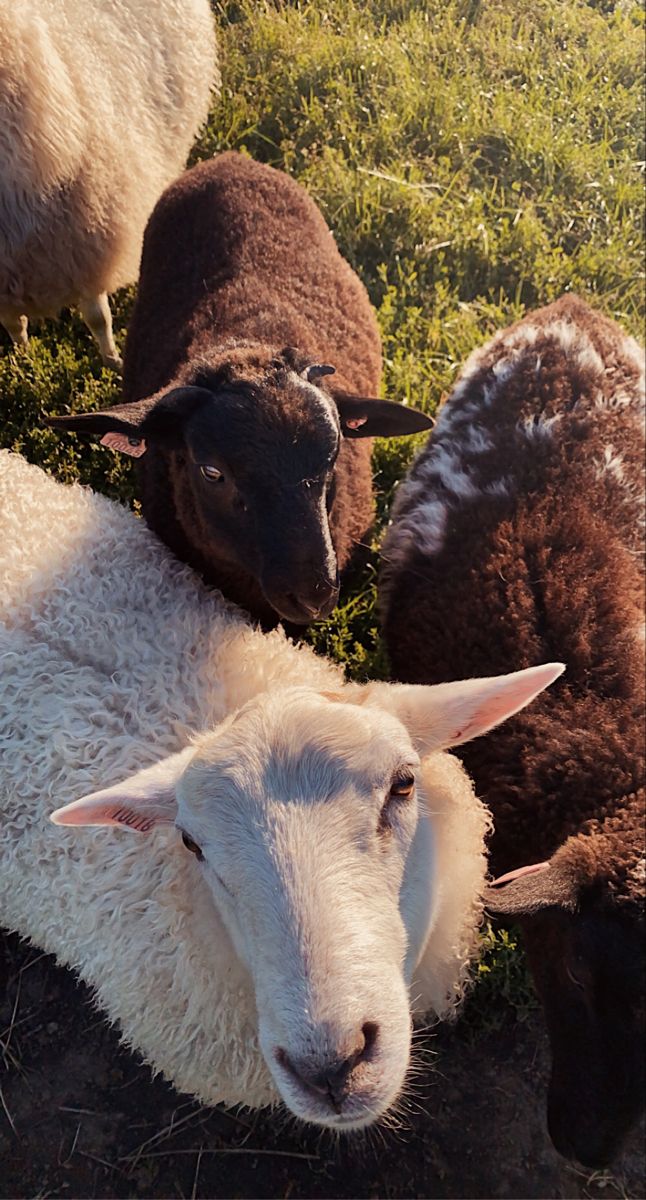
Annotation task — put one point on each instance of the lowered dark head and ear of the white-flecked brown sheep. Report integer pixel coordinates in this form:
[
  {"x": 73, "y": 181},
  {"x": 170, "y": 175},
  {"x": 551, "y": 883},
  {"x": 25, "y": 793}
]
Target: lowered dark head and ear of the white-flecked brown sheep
[{"x": 588, "y": 959}]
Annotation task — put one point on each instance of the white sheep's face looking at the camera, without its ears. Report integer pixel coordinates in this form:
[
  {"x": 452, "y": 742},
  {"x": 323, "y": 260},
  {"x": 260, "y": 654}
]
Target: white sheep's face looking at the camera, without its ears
[{"x": 306, "y": 812}]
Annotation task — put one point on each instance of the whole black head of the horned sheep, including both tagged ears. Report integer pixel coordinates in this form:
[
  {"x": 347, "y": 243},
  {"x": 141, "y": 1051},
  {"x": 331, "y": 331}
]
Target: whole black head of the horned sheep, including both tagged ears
[{"x": 252, "y": 453}]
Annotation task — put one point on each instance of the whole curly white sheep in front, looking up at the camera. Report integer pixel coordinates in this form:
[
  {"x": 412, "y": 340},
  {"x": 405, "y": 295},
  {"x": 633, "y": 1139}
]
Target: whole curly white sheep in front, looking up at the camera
[{"x": 333, "y": 877}]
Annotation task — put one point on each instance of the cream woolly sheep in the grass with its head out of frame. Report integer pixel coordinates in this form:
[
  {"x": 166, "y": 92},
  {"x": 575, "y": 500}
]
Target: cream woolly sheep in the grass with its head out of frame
[{"x": 100, "y": 103}]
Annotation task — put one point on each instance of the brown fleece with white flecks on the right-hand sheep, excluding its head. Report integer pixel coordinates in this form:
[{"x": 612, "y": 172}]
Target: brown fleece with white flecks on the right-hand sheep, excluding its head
[{"x": 518, "y": 538}]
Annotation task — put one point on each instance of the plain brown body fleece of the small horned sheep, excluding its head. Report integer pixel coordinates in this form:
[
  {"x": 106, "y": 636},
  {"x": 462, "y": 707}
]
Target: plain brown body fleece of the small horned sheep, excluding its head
[{"x": 268, "y": 275}]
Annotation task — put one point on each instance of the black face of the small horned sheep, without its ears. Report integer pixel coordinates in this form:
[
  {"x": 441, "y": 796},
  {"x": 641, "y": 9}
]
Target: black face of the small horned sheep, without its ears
[{"x": 258, "y": 475}]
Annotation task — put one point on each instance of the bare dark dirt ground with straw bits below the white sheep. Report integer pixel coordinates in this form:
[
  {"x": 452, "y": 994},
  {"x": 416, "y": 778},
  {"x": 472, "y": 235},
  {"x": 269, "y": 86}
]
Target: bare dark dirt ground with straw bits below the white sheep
[{"x": 81, "y": 1118}]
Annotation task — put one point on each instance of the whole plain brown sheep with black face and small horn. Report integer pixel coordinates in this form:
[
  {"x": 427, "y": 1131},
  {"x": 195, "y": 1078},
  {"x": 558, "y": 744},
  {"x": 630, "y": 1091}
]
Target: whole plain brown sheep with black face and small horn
[{"x": 250, "y": 466}]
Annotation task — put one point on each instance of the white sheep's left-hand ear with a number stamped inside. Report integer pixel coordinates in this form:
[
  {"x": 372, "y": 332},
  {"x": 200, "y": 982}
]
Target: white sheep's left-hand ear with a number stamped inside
[{"x": 140, "y": 803}]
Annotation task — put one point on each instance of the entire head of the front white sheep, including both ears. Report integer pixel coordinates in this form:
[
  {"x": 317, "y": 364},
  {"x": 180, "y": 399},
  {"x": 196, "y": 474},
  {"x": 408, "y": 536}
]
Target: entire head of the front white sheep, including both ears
[{"x": 309, "y": 819}]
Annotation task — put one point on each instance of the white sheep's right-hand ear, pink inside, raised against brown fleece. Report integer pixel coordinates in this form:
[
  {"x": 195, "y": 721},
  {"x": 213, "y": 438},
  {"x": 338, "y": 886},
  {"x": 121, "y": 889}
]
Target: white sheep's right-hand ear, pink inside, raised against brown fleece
[{"x": 446, "y": 715}]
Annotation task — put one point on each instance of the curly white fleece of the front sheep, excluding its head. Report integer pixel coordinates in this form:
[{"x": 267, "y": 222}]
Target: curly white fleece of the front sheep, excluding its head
[{"x": 113, "y": 656}]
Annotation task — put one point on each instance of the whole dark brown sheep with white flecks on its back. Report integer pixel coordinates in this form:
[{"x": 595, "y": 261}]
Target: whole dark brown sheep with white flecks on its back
[{"x": 518, "y": 538}]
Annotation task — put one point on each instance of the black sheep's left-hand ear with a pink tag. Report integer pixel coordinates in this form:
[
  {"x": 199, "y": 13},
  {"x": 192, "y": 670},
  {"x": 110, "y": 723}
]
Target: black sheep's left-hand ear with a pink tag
[{"x": 153, "y": 417}]
